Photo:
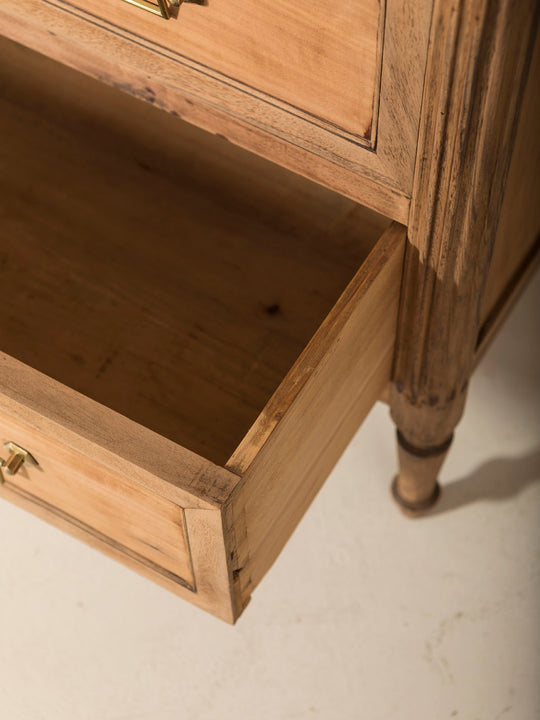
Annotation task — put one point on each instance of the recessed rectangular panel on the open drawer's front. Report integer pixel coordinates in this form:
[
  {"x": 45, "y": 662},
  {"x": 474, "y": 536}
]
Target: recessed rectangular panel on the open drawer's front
[{"x": 149, "y": 528}]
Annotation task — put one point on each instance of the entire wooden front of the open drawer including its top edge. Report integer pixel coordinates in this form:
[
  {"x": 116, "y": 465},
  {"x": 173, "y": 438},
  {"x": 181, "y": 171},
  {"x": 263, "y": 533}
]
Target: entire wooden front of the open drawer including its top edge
[{"x": 119, "y": 487}]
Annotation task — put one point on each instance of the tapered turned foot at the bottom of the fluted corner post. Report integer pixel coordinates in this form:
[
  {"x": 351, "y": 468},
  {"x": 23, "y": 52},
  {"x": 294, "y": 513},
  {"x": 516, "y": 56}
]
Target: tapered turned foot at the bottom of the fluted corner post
[{"x": 416, "y": 488}]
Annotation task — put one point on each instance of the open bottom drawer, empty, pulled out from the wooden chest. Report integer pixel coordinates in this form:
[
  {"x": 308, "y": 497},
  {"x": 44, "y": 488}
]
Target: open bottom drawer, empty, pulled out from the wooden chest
[{"x": 190, "y": 334}]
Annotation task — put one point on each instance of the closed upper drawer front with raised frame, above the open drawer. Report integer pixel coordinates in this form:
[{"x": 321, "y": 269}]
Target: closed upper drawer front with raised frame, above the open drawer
[{"x": 329, "y": 89}]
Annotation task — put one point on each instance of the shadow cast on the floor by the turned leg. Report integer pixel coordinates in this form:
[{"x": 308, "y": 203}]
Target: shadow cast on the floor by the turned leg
[{"x": 498, "y": 479}]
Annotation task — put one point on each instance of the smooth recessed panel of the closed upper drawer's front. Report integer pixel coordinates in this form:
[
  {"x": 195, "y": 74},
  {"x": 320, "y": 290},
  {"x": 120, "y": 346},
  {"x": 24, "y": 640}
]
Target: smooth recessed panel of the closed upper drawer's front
[{"x": 319, "y": 57}]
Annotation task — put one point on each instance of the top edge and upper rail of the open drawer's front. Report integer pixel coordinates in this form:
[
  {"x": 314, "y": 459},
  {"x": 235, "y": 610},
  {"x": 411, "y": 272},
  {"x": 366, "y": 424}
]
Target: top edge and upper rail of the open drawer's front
[{"x": 113, "y": 441}]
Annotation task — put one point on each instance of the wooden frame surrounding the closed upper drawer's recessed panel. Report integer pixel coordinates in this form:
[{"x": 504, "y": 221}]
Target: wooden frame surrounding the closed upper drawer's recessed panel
[{"x": 379, "y": 177}]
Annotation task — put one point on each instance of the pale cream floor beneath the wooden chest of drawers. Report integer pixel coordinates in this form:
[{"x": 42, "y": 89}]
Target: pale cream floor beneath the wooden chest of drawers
[{"x": 365, "y": 616}]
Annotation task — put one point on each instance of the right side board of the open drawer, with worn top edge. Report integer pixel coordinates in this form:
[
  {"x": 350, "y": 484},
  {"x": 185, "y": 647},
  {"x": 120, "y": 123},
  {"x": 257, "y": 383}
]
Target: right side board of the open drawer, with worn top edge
[{"x": 318, "y": 408}]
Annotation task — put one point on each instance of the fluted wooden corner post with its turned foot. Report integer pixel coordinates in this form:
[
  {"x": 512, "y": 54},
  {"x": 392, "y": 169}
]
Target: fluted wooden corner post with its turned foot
[{"x": 478, "y": 58}]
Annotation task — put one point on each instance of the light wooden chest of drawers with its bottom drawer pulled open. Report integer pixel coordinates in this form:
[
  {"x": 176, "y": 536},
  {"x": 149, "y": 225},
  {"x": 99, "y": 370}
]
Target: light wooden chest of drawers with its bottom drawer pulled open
[{"x": 191, "y": 334}]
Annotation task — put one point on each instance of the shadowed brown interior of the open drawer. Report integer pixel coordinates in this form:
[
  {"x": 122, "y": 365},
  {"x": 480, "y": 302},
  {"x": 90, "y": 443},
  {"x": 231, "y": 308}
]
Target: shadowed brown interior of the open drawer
[{"x": 153, "y": 267}]
